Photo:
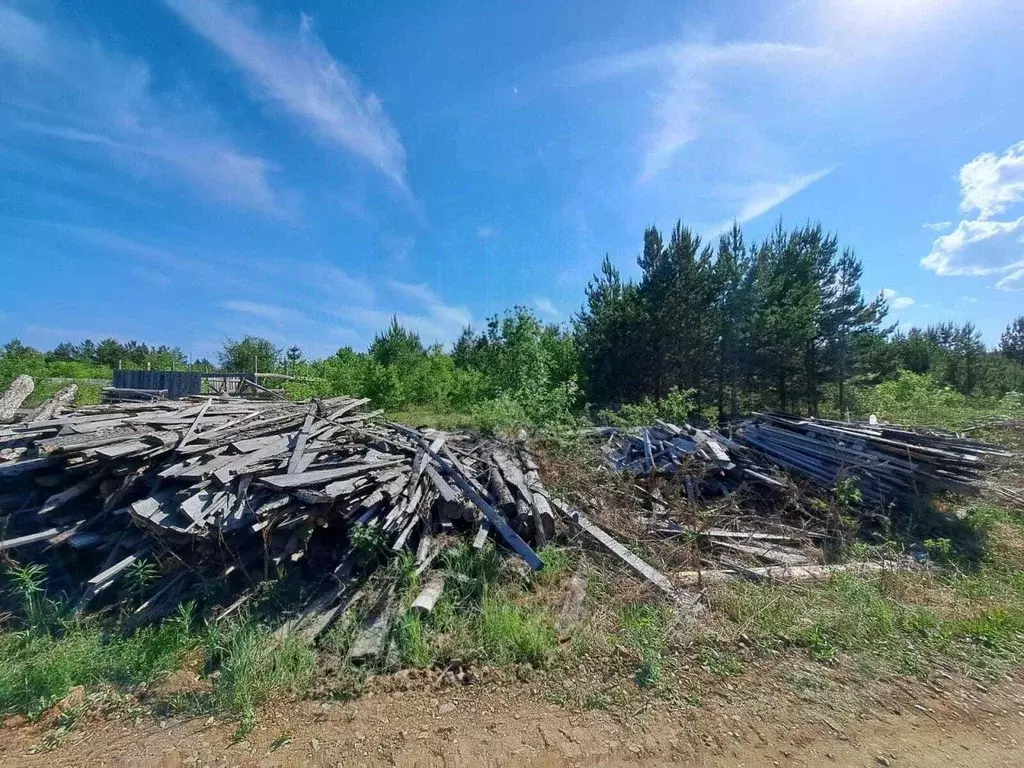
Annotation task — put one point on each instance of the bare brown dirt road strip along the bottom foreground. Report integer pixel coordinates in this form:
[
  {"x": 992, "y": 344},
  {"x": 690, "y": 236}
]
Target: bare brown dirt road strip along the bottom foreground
[{"x": 807, "y": 715}]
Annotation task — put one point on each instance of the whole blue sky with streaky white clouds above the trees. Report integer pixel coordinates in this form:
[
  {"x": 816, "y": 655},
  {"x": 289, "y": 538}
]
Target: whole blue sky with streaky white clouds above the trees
[{"x": 183, "y": 172}]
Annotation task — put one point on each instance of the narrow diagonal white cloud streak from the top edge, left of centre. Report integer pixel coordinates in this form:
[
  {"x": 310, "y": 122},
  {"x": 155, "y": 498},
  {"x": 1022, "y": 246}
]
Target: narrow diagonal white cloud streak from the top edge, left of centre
[{"x": 295, "y": 71}]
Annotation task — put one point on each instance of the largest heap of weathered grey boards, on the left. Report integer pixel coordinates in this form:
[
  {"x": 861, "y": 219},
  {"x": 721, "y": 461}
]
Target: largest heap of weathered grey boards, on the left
[{"x": 231, "y": 492}]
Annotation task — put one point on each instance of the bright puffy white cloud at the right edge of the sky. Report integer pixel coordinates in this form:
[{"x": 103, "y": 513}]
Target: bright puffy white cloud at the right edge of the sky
[{"x": 992, "y": 186}]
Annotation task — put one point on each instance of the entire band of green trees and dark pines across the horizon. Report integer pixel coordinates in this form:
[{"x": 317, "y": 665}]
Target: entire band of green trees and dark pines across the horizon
[{"x": 722, "y": 329}]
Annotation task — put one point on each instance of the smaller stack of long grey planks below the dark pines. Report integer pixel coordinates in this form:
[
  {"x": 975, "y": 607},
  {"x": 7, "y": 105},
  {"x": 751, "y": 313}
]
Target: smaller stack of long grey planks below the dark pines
[{"x": 888, "y": 464}]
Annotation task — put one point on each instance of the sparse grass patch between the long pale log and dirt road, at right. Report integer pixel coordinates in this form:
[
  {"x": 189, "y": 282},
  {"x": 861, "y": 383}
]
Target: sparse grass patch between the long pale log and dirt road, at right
[{"x": 969, "y": 613}]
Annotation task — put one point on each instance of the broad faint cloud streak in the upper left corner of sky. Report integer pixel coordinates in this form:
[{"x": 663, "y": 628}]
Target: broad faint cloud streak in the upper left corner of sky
[{"x": 73, "y": 91}]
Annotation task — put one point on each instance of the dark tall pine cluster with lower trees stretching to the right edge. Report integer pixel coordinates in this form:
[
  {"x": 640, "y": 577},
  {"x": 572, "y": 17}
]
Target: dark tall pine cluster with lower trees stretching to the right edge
[{"x": 782, "y": 324}]
